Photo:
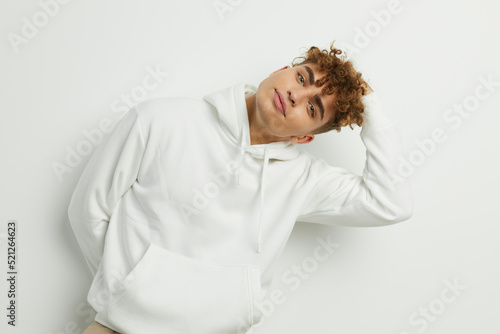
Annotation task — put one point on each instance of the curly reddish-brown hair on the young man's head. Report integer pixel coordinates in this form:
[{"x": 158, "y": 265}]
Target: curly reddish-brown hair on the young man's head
[{"x": 341, "y": 78}]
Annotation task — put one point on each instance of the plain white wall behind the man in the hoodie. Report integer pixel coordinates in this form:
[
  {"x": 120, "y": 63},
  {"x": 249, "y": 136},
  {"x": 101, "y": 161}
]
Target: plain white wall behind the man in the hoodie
[{"x": 65, "y": 78}]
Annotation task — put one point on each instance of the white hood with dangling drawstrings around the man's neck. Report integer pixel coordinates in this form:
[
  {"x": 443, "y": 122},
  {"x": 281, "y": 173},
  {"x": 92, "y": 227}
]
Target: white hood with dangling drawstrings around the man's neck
[{"x": 231, "y": 109}]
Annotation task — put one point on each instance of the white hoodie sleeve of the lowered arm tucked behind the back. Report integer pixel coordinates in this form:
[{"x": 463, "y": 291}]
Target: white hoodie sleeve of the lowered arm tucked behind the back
[{"x": 112, "y": 170}]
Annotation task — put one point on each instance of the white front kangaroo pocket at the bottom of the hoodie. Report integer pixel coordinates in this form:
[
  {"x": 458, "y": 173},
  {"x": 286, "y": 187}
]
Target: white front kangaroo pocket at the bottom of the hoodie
[{"x": 170, "y": 293}]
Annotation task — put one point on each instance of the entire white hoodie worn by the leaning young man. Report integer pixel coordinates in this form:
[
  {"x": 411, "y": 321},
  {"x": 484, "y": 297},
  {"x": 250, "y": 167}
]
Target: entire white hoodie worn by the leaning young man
[{"x": 181, "y": 220}]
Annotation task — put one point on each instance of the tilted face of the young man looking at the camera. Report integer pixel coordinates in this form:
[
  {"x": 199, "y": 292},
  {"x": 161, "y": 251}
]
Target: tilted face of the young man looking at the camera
[{"x": 289, "y": 106}]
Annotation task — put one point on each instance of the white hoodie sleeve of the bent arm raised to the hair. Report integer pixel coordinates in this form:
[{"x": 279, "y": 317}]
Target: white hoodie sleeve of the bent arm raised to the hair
[{"x": 379, "y": 197}]
